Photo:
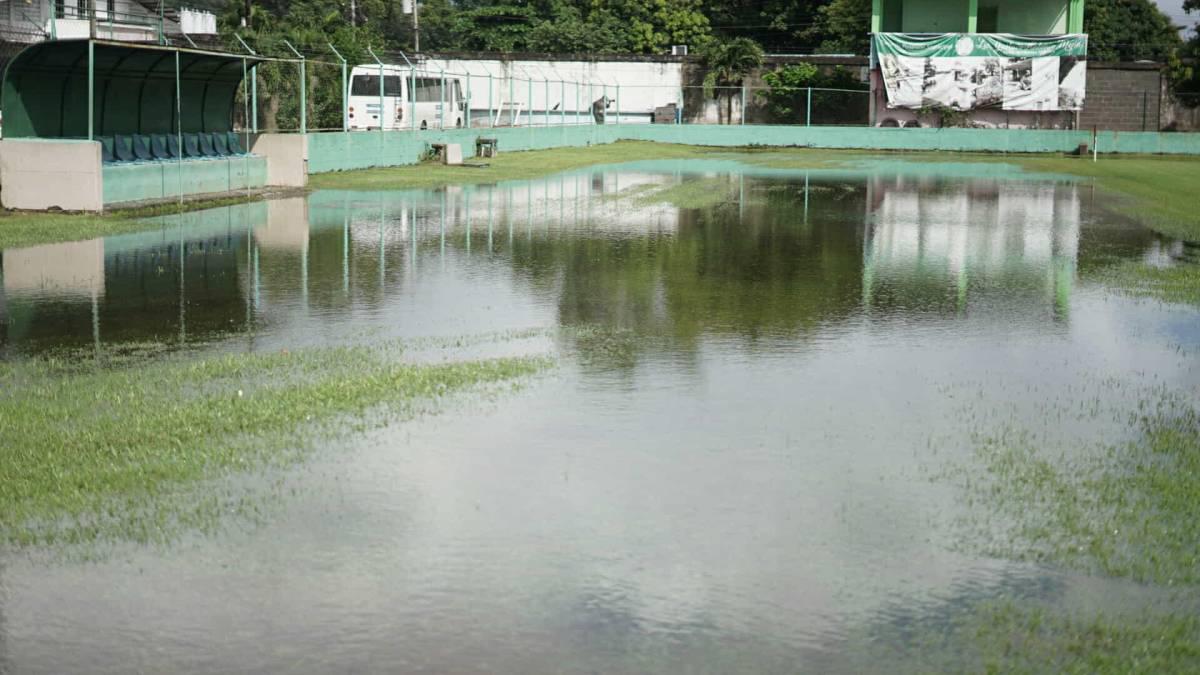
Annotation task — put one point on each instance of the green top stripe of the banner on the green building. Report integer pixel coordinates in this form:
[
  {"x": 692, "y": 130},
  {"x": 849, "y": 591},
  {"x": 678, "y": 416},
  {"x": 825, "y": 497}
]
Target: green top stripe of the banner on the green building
[{"x": 981, "y": 45}]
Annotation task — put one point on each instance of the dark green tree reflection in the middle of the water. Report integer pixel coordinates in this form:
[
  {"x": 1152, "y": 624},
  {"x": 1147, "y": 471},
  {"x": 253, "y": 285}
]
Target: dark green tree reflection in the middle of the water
[{"x": 749, "y": 272}]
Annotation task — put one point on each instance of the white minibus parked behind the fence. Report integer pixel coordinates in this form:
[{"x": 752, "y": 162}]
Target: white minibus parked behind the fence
[{"x": 435, "y": 107}]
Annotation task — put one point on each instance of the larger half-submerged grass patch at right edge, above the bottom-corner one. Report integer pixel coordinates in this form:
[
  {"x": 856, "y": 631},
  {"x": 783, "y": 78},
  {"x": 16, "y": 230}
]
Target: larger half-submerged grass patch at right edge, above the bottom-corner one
[{"x": 1130, "y": 510}]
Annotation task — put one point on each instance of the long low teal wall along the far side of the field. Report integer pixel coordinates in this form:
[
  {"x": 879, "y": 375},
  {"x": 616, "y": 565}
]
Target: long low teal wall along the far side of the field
[{"x": 344, "y": 152}]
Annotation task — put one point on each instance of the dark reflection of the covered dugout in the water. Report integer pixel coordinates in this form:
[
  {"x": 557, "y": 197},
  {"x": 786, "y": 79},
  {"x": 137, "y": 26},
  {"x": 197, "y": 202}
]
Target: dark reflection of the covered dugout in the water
[{"x": 177, "y": 280}]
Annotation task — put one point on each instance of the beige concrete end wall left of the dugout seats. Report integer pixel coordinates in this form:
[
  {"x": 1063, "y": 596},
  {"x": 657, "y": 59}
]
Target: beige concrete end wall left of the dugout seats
[{"x": 40, "y": 175}]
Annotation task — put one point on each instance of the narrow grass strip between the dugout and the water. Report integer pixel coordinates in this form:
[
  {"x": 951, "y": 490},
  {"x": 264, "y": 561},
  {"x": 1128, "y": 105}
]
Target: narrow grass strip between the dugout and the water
[{"x": 31, "y": 229}]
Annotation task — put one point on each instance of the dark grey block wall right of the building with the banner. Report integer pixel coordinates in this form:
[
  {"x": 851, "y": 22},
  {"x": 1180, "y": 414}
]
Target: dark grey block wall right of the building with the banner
[{"x": 1124, "y": 98}]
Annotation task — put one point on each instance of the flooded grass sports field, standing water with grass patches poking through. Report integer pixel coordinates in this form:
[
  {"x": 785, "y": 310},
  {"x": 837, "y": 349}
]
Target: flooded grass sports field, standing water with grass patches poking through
[{"x": 694, "y": 416}]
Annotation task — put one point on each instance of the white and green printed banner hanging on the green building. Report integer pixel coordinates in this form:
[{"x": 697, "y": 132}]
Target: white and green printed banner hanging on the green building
[{"x": 964, "y": 73}]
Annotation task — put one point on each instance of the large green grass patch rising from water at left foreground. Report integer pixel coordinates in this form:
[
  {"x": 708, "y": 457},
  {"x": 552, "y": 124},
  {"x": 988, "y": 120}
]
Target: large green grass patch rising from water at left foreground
[{"x": 117, "y": 453}]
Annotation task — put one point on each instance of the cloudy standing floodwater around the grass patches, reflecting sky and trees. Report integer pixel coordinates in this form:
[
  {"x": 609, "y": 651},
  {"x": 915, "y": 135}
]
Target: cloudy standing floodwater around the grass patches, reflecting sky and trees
[{"x": 730, "y": 470}]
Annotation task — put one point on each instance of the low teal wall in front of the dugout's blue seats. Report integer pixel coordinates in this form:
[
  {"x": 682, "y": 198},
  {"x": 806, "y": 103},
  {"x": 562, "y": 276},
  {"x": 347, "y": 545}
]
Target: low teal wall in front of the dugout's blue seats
[{"x": 160, "y": 181}]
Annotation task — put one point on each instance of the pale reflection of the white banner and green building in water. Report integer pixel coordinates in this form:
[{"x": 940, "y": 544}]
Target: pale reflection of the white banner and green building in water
[{"x": 934, "y": 242}]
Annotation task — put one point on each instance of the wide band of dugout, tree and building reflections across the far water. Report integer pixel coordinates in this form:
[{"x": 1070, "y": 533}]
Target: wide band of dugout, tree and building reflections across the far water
[{"x": 773, "y": 254}]
